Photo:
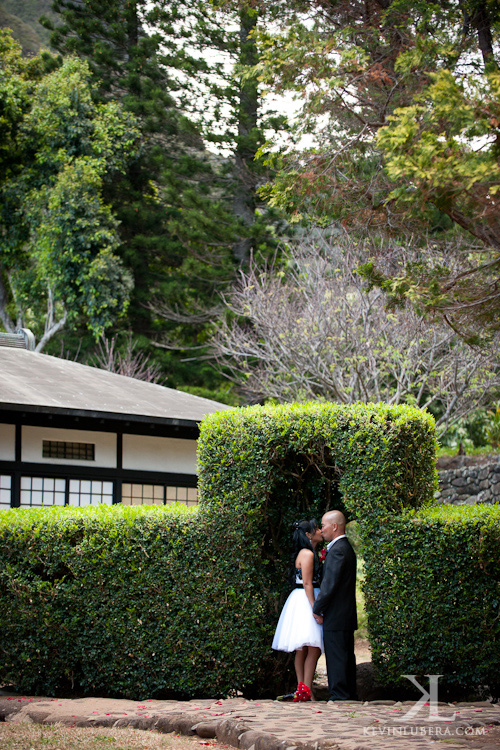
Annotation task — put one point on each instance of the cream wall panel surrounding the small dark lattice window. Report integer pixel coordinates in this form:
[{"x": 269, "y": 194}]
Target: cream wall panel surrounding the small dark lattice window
[{"x": 33, "y": 437}]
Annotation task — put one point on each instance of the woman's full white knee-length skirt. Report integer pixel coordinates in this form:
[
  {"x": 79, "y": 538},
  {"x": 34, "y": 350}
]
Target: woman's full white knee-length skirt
[{"x": 297, "y": 627}]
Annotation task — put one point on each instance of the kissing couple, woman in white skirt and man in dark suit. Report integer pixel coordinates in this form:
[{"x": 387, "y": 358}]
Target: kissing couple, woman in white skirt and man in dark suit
[{"x": 320, "y": 613}]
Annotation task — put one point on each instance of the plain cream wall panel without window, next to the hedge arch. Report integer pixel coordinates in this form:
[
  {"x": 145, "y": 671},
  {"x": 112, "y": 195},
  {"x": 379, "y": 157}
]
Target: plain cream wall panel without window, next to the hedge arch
[{"x": 159, "y": 454}]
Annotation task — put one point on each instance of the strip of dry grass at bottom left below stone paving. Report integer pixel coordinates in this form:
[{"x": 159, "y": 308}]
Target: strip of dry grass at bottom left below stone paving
[{"x": 27, "y": 736}]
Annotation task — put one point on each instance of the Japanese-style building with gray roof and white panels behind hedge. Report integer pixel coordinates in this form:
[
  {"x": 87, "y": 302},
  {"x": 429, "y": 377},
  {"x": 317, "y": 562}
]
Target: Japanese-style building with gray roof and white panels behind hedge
[{"x": 76, "y": 435}]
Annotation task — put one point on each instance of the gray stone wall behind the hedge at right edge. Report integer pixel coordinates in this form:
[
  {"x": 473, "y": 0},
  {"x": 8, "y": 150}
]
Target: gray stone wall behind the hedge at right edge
[{"x": 466, "y": 485}]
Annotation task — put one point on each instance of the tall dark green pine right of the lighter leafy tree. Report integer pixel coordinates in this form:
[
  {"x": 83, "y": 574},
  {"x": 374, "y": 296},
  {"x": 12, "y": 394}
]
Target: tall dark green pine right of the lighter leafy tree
[{"x": 177, "y": 231}]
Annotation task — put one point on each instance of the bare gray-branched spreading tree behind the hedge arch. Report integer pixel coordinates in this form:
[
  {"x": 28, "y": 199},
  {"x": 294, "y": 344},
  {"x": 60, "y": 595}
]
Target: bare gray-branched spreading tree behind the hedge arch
[{"x": 310, "y": 330}]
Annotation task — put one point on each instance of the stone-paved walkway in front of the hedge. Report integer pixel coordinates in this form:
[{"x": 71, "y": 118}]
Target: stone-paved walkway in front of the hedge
[{"x": 270, "y": 725}]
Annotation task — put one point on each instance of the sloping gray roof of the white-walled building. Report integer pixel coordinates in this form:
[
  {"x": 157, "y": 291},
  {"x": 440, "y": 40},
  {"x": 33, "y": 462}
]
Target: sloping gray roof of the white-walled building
[{"x": 39, "y": 382}]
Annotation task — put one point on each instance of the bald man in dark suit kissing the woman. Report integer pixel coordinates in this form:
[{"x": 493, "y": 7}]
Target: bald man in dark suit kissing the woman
[{"x": 335, "y": 606}]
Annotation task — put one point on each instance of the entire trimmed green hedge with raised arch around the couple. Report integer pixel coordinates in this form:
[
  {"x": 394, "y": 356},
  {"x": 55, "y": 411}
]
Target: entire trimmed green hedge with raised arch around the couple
[{"x": 154, "y": 601}]
